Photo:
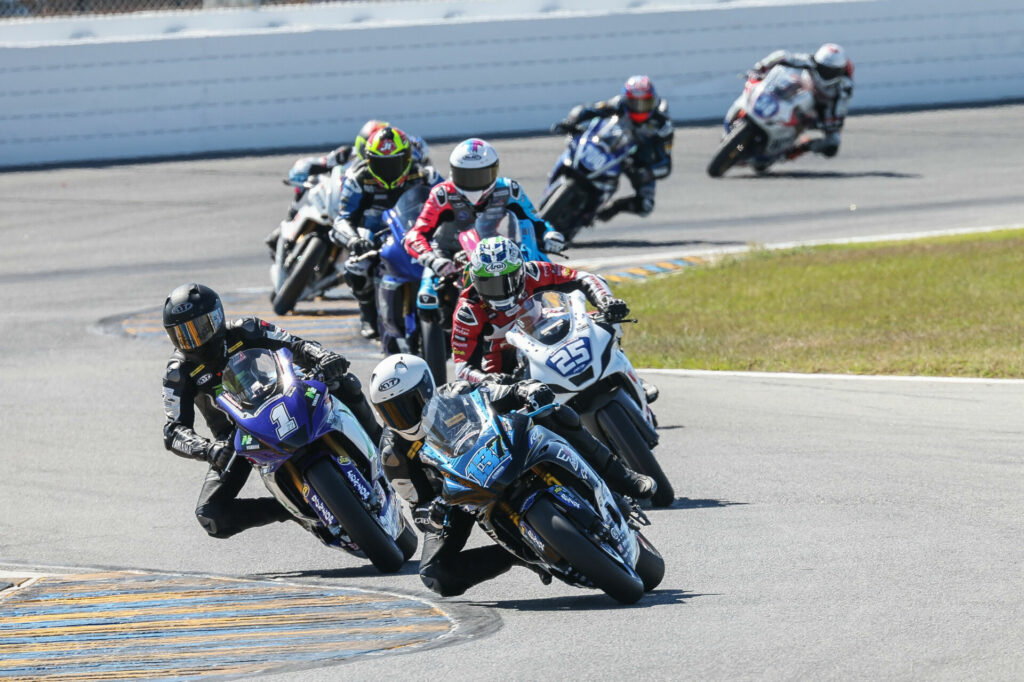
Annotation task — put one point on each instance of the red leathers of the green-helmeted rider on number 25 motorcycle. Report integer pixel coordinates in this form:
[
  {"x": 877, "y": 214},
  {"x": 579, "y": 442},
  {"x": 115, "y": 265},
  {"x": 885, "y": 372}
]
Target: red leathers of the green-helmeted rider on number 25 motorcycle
[{"x": 479, "y": 346}]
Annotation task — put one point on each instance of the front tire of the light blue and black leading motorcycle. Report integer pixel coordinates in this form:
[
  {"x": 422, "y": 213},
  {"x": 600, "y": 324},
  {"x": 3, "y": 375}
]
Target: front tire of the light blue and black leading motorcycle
[{"x": 585, "y": 557}]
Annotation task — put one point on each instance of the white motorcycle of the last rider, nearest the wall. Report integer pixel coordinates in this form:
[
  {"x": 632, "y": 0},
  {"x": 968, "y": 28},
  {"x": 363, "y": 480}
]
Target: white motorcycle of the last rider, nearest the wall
[{"x": 764, "y": 122}]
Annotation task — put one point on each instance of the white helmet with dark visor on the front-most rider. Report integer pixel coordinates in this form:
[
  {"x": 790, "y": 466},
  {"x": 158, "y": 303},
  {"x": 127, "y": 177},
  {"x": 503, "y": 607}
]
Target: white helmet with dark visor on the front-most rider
[{"x": 401, "y": 387}]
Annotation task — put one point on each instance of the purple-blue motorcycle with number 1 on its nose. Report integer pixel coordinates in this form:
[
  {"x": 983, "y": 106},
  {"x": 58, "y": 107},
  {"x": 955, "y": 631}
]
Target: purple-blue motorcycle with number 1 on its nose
[{"x": 315, "y": 457}]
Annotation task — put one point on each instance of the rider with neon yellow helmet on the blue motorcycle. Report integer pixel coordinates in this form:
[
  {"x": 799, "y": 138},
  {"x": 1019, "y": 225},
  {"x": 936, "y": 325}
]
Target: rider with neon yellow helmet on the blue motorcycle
[{"x": 371, "y": 187}]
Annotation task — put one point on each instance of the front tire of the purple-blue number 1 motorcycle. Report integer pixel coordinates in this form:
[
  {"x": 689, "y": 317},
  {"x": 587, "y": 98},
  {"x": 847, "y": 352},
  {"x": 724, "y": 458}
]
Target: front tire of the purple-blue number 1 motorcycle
[{"x": 364, "y": 530}]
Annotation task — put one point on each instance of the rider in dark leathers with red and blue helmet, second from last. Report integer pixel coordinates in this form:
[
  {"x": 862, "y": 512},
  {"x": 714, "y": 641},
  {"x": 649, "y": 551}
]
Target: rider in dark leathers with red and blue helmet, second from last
[{"x": 652, "y": 161}]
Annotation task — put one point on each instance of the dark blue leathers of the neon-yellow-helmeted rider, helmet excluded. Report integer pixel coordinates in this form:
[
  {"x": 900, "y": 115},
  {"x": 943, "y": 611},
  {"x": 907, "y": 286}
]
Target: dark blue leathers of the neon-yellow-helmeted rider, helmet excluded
[{"x": 362, "y": 204}]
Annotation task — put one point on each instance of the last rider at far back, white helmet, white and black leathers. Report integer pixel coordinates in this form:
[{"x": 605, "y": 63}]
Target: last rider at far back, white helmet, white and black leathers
[{"x": 832, "y": 75}]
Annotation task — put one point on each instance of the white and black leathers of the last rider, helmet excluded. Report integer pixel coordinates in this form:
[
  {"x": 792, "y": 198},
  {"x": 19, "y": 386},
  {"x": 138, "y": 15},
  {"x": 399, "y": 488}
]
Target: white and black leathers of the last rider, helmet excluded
[{"x": 832, "y": 101}]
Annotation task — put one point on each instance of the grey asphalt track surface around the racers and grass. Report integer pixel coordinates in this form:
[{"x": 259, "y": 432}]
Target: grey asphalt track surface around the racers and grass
[{"x": 827, "y": 529}]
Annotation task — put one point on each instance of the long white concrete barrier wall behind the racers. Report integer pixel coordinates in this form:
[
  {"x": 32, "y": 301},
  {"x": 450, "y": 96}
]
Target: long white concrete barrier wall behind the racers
[{"x": 120, "y": 99}]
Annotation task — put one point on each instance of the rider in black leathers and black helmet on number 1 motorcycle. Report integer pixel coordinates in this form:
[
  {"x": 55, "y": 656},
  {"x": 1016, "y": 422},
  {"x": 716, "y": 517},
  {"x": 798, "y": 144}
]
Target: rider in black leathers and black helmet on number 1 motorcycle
[{"x": 194, "y": 319}]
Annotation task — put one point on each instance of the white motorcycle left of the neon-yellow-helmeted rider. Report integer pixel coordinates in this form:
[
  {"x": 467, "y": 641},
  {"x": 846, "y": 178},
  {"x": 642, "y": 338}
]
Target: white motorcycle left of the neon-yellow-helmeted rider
[{"x": 307, "y": 264}]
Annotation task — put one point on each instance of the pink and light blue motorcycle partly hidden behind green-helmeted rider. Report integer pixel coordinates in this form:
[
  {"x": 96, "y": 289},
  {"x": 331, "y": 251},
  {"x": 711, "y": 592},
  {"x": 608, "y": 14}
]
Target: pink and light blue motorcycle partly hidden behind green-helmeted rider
[{"x": 438, "y": 296}]
